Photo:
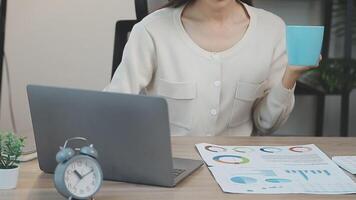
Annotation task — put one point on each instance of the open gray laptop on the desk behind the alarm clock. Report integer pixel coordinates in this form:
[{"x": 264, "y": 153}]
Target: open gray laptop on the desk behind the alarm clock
[{"x": 130, "y": 132}]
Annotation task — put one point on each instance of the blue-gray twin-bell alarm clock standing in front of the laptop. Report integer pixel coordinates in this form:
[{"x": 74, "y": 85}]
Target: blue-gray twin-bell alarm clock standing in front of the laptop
[{"x": 78, "y": 174}]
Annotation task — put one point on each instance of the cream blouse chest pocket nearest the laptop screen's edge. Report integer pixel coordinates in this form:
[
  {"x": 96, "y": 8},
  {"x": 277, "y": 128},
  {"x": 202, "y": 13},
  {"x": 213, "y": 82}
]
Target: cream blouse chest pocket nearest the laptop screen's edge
[{"x": 180, "y": 98}]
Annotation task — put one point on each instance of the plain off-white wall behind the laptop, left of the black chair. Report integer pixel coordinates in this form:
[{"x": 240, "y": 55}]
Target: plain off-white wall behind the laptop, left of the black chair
[{"x": 58, "y": 42}]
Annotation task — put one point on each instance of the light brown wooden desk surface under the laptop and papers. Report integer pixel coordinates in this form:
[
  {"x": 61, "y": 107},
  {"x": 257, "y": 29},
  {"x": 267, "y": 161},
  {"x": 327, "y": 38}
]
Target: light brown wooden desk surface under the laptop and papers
[{"x": 35, "y": 185}]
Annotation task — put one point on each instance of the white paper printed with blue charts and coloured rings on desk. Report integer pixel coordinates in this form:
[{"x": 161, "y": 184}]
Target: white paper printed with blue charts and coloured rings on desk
[{"x": 275, "y": 170}]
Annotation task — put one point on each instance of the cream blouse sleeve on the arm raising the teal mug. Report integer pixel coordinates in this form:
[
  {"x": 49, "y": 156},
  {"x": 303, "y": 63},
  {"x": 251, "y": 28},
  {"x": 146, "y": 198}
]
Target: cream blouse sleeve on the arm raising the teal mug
[{"x": 273, "y": 110}]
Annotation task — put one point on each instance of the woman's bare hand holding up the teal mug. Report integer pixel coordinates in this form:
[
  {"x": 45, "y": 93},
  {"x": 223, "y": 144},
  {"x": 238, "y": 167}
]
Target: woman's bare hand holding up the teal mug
[{"x": 293, "y": 73}]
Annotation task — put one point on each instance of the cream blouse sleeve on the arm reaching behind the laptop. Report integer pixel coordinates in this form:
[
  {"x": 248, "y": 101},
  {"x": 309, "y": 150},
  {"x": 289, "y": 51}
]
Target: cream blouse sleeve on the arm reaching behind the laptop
[{"x": 138, "y": 63}]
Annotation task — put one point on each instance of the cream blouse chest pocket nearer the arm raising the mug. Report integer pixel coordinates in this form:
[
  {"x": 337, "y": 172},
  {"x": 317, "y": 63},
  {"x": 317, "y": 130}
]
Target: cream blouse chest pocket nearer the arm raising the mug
[{"x": 245, "y": 95}]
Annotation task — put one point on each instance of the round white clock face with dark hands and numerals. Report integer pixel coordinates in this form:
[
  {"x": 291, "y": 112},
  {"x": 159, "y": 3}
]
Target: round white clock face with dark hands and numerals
[{"x": 82, "y": 177}]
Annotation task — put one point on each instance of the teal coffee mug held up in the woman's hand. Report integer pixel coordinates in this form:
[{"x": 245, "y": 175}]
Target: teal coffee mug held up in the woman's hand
[{"x": 304, "y": 45}]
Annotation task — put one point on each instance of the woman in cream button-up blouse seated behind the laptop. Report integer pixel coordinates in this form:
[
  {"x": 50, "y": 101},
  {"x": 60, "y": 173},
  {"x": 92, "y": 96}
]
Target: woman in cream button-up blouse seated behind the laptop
[{"x": 220, "y": 64}]
